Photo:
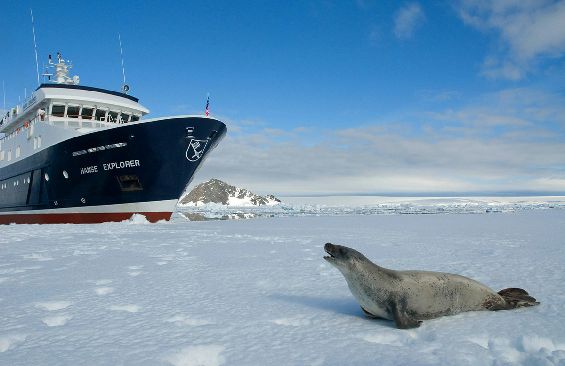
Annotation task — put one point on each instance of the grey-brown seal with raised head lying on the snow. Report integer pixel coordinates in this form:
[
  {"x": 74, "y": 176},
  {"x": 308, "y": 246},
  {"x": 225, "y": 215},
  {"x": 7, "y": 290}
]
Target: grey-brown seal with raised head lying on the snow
[{"x": 409, "y": 297}]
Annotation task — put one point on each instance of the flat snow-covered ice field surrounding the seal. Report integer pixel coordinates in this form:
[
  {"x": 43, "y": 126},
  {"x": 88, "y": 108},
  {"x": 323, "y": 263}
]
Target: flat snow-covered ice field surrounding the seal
[{"x": 257, "y": 291}]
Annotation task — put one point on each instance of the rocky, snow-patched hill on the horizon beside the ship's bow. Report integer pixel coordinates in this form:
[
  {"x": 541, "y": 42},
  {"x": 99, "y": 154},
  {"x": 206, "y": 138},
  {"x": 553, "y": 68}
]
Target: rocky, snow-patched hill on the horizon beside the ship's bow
[{"x": 217, "y": 192}]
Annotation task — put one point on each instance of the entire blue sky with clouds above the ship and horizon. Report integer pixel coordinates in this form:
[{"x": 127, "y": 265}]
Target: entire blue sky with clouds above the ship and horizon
[{"x": 330, "y": 97}]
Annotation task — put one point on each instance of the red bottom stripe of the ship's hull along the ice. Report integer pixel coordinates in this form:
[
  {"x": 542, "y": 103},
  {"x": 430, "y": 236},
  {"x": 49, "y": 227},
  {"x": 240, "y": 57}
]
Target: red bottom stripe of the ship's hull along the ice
[{"x": 79, "y": 218}]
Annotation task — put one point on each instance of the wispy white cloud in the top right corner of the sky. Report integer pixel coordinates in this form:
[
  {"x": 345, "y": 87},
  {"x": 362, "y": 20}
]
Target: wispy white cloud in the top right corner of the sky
[{"x": 529, "y": 30}]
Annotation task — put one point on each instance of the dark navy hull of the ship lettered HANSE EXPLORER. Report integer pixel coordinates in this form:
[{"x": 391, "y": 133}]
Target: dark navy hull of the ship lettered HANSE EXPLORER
[{"x": 108, "y": 175}]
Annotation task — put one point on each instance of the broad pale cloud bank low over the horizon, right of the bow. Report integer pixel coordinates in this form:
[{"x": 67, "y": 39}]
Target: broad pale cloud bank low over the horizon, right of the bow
[{"x": 513, "y": 140}]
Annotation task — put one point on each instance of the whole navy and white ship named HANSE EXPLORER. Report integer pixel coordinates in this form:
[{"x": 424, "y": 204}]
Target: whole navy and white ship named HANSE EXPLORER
[{"x": 79, "y": 154}]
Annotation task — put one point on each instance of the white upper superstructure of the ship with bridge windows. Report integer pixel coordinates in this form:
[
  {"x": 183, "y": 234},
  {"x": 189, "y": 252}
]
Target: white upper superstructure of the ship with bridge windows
[{"x": 61, "y": 110}]
